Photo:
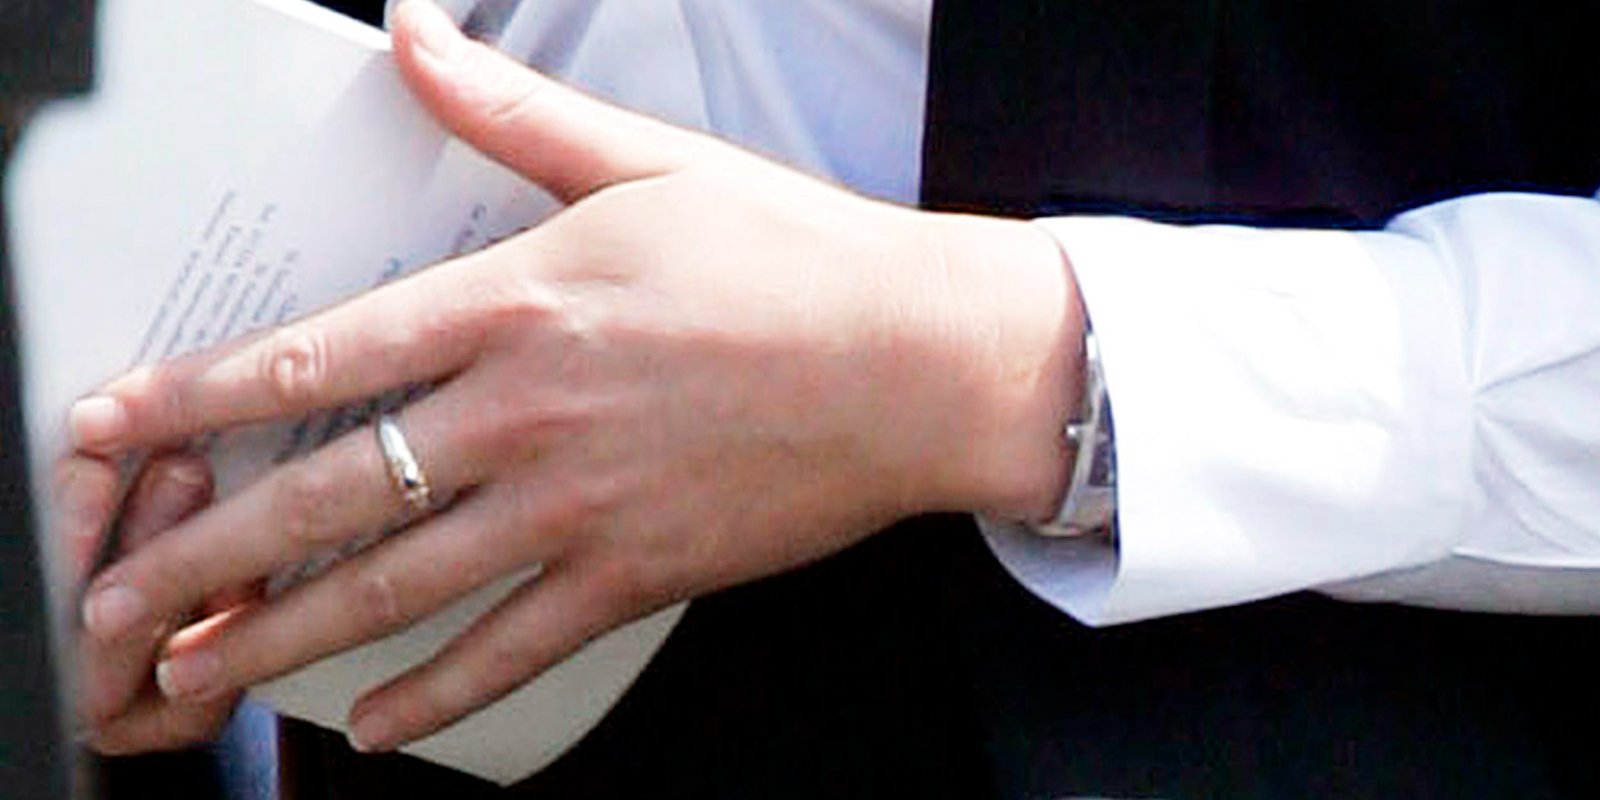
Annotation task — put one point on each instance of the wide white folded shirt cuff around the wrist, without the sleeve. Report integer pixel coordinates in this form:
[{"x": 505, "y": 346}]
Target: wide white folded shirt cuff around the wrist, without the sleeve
[{"x": 1289, "y": 415}]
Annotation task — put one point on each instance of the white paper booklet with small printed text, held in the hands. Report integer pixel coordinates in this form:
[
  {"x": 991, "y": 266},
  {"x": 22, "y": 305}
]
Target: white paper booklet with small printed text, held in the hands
[{"x": 242, "y": 164}]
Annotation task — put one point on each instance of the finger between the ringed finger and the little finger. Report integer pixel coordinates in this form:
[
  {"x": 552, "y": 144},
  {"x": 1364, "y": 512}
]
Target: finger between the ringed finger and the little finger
[{"x": 367, "y": 598}]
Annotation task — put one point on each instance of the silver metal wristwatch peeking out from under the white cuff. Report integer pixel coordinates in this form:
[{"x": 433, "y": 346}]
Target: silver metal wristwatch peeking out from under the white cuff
[{"x": 1090, "y": 505}]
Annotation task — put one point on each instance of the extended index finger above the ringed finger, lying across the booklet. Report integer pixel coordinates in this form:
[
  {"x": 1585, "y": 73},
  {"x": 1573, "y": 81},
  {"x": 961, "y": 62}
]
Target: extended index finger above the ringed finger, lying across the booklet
[{"x": 414, "y": 330}]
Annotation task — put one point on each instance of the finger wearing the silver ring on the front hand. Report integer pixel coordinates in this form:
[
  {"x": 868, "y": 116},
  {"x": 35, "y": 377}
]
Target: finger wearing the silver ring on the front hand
[{"x": 308, "y": 508}]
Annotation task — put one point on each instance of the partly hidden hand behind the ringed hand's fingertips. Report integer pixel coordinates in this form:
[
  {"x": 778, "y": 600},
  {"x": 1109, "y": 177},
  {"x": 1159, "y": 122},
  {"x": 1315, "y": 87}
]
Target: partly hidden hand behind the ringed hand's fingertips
[{"x": 121, "y": 710}]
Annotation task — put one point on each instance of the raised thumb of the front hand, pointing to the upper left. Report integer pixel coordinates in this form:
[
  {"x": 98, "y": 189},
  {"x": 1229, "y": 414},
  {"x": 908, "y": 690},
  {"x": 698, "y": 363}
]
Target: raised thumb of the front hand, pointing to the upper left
[{"x": 559, "y": 138}]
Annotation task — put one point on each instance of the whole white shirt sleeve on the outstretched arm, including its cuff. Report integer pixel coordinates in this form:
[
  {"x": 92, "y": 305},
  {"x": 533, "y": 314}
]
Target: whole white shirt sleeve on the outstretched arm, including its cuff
[{"x": 1406, "y": 415}]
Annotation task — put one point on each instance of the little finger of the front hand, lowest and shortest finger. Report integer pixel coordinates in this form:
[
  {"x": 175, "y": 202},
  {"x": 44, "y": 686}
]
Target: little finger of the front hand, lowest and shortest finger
[{"x": 540, "y": 625}]
